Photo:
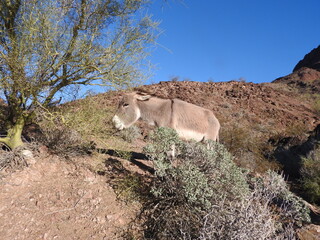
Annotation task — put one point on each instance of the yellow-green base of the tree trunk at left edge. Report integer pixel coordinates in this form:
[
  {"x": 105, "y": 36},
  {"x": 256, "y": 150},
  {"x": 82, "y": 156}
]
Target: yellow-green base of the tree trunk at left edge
[{"x": 13, "y": 138}]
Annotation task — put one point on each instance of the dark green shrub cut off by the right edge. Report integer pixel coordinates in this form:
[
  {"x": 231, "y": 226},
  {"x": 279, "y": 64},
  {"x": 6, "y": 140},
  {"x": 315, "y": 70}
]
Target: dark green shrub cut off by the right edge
[{"x": 310, "y": 176}]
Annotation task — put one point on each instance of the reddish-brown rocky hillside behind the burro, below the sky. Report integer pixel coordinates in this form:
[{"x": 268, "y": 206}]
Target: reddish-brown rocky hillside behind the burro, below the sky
[{"x": 254, "y": 117}]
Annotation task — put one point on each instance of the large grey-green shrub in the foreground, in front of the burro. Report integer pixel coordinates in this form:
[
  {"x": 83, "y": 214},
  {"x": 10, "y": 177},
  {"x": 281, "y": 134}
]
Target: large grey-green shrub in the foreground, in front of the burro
[{"x": 206, "y": 196}]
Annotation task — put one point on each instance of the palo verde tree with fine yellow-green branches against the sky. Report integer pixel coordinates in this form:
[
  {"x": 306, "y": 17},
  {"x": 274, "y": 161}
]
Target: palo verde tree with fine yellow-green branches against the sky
[{"x": 49, "y": 46}]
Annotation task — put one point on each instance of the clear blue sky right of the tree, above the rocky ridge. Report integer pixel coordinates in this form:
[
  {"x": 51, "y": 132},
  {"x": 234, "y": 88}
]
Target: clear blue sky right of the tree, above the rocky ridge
[{"x": 223, "y": 40}]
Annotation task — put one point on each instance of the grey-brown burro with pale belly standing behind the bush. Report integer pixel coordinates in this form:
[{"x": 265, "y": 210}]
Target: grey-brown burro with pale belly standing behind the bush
[{"x": 190, "y": 121}]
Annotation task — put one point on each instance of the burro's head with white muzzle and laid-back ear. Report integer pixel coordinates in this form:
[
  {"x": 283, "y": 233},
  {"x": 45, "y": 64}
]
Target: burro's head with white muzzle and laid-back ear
[{"x": 128, "y": 111}]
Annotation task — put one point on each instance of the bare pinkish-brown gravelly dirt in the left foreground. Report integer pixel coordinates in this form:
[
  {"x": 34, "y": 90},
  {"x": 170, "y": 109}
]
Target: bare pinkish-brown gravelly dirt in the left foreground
[{"x": 59, "y": 199}]
